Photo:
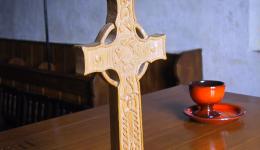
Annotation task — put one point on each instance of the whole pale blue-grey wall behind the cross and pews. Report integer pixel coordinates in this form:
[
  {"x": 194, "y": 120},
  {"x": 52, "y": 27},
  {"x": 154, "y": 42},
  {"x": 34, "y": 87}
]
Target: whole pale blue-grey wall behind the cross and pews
[{"x": 222, "y": 28}]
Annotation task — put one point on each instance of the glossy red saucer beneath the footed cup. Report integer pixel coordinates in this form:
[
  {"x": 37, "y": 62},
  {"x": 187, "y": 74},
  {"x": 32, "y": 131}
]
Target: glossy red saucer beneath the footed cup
[{"x": 228, "y": 113}]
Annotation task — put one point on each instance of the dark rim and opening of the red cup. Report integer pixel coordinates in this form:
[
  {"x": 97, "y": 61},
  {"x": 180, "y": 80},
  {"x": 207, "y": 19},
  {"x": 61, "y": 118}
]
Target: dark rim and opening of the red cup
[{"x": 206, "y": 83}]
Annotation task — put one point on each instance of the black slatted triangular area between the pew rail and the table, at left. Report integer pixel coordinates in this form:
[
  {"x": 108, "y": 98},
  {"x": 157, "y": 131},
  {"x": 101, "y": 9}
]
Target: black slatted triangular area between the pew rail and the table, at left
[{"x": 21, "y": 108}]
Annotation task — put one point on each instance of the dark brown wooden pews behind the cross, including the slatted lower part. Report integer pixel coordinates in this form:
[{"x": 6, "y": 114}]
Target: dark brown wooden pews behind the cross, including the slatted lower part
[{"x": 64, "y": 91}]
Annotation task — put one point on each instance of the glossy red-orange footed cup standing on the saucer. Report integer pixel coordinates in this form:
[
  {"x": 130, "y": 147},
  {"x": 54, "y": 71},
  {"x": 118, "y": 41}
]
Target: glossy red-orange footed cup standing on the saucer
[{"x": 207, "y": 93}]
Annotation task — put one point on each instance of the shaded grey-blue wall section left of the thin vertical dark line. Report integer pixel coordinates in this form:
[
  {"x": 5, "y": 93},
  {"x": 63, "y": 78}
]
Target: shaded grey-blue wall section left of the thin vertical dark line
[{"x": 22, "y": 19}]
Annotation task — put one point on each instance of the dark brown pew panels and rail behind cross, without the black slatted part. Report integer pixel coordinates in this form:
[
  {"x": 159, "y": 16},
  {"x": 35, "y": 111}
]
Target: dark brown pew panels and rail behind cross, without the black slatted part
[{"x": 64, "y": 83}]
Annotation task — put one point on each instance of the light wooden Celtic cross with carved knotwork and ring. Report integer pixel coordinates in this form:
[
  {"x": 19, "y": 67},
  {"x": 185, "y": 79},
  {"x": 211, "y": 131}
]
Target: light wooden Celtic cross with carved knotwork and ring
[{"x": 128, "y": 55}]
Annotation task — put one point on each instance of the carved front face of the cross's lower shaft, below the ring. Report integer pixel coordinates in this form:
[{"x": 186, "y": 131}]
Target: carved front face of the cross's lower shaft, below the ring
[{"x": 131, "y": 122}]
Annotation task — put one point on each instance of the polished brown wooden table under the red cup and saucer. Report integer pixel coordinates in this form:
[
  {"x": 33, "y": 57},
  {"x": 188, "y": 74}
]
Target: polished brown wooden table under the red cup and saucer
[{"x": 165, "y": 127}]
